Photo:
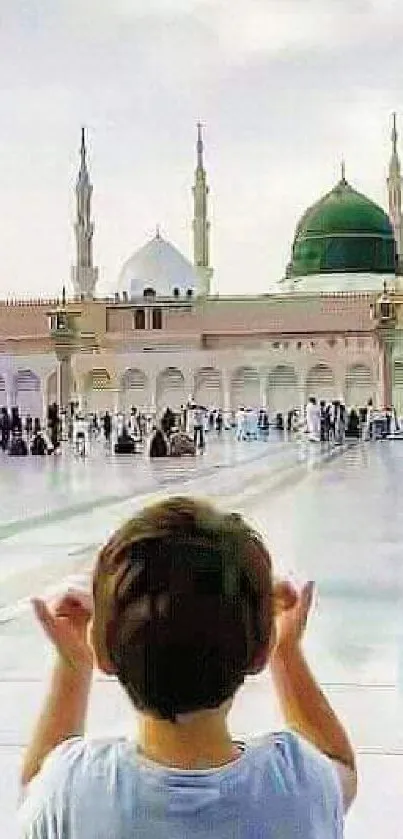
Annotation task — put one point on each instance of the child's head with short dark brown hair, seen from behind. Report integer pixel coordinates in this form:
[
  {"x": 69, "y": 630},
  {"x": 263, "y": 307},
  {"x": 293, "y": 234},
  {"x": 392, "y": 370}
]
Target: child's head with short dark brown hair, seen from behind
[{"x": 183, "y": 607}]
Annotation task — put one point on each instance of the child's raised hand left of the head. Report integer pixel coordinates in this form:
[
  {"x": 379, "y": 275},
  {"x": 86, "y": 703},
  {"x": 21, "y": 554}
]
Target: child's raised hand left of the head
[{"x": 65, "y": 622}]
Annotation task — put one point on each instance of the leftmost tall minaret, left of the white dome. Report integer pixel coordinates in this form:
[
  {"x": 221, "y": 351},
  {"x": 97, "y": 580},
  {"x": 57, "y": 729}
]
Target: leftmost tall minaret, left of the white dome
[{"x": 84, "y": 275}]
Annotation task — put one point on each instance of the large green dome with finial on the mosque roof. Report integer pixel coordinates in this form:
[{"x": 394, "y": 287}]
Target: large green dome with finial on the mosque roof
[{"x": 343, "y": 232}]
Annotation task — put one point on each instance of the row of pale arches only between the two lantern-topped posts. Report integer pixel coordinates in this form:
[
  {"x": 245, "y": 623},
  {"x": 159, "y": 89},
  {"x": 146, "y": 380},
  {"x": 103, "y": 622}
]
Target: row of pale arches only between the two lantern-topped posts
[{"x": 280, "y": 387}]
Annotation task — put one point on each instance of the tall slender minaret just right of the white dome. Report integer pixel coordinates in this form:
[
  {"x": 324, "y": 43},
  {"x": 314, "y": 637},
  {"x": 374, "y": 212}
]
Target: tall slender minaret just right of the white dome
[{"x": 201, "y": 225}]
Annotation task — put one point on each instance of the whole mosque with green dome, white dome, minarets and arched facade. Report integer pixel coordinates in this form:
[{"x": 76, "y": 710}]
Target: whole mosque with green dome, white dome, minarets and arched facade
[{"x": 331, "y": 328}]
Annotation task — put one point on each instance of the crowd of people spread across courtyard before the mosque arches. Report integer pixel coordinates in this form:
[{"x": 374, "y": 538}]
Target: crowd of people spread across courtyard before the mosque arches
[{"x": 184, "y": 432}]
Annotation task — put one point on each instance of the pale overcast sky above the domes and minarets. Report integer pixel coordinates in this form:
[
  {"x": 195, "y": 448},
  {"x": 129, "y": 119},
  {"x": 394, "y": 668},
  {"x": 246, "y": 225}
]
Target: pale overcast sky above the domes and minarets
[{"x": 285, "y": 88}]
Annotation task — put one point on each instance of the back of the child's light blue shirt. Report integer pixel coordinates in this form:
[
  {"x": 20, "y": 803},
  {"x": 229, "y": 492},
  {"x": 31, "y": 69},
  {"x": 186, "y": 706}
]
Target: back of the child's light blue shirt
[{"x": 279, "y": 788}]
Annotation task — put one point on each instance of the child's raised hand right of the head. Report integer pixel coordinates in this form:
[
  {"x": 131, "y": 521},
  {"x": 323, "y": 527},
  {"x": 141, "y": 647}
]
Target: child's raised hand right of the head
[{"x": 291, "y": 618}]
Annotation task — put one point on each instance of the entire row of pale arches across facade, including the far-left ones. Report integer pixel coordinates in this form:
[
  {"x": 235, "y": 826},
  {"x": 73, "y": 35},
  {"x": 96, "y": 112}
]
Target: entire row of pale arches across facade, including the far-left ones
[{"x": 279, "y": 387}]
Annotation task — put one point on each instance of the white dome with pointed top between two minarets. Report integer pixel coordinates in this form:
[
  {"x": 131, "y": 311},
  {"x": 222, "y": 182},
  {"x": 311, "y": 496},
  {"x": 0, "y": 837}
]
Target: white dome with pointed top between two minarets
[{"x": 158, "y": 265}]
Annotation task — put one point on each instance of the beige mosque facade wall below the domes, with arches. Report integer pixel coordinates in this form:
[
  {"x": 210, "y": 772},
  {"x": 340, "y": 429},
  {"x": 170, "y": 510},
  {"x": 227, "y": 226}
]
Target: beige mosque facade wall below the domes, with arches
[{"x": 264, "y": 351}]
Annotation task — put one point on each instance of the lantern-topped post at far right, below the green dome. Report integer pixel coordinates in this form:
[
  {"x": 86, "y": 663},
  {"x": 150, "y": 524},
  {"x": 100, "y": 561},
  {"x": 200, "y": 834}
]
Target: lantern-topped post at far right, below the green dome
[{"x": 383, "y": 313}]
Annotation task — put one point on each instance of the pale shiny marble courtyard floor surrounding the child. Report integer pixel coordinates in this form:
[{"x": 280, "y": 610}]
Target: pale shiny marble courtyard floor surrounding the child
[{"x": 335, "y": 520}]
